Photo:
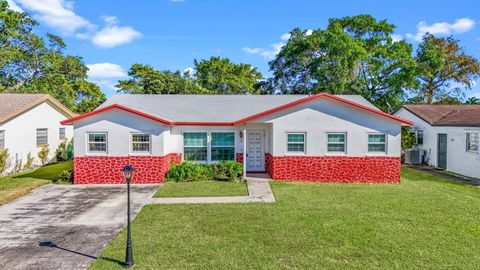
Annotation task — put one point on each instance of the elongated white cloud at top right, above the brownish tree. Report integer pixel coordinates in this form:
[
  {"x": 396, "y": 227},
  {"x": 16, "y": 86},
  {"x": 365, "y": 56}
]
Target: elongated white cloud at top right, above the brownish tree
[{"x": 442, "y": 28}]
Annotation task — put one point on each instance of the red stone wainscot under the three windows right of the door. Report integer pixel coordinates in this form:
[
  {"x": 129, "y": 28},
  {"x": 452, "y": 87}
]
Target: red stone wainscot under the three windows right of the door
[{"x": 334, "y": 169}]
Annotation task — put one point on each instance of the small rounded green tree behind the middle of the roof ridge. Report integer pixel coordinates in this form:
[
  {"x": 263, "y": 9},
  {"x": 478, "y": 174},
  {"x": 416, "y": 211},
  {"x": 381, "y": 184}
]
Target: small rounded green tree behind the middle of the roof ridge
[{"x": 224, "y": 77}]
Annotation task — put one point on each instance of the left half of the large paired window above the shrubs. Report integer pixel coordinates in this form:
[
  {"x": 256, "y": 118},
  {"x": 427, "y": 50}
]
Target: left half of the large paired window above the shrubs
[{"x": 195, "y": 146}]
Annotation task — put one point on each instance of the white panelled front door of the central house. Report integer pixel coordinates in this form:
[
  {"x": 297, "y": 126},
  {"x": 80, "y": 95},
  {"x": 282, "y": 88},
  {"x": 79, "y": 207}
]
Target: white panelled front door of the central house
[{"x": 255, "y": 152}]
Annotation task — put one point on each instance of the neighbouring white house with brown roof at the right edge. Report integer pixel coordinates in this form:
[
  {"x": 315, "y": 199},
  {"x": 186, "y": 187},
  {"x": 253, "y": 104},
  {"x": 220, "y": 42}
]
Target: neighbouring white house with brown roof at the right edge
[{"x": 448, "y": 134}]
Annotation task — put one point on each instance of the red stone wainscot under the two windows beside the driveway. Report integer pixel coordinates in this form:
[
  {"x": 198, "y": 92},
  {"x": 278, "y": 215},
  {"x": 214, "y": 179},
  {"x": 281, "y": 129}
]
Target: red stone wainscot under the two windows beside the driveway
[{"x": 106, "y": 170}]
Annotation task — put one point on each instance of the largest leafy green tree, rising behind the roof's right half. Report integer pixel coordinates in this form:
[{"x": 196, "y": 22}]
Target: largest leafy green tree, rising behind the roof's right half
[{"x": 353, "y": 55}]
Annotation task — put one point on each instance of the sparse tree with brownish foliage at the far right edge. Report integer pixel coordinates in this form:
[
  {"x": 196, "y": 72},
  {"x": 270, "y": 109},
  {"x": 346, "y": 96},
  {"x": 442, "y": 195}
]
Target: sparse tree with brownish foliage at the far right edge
[{"x": 442, "y": 62}]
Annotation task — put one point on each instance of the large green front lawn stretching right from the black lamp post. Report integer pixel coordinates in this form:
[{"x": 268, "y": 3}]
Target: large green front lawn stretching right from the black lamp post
[{"x": 421, "y": 223}]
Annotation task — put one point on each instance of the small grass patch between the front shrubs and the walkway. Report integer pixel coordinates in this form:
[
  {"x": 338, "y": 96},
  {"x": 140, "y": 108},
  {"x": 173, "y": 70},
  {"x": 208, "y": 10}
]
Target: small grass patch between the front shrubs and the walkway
[{"x": 202, "y": 189}]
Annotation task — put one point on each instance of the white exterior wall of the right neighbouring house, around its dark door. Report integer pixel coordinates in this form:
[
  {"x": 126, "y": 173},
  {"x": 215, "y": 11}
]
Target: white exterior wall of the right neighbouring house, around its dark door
[{"x": 458, "y": 159}]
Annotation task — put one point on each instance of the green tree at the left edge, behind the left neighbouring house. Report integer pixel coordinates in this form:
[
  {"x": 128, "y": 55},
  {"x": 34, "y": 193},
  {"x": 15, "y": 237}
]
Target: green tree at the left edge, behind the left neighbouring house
[{"x": 33, "y": 64}]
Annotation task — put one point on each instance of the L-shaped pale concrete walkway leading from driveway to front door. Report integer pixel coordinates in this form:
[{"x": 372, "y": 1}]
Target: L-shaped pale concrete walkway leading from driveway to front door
[{"x": 258, "y": 191}]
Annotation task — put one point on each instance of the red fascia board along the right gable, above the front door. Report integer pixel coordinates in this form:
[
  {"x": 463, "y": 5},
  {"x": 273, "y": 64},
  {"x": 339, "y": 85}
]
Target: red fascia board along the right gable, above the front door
[{"x": 317, "y": 96}]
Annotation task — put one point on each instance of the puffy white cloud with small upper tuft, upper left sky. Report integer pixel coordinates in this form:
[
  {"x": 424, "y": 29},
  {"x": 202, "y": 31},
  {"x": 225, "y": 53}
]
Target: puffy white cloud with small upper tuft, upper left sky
[{"x": 112, "y": 35}]
